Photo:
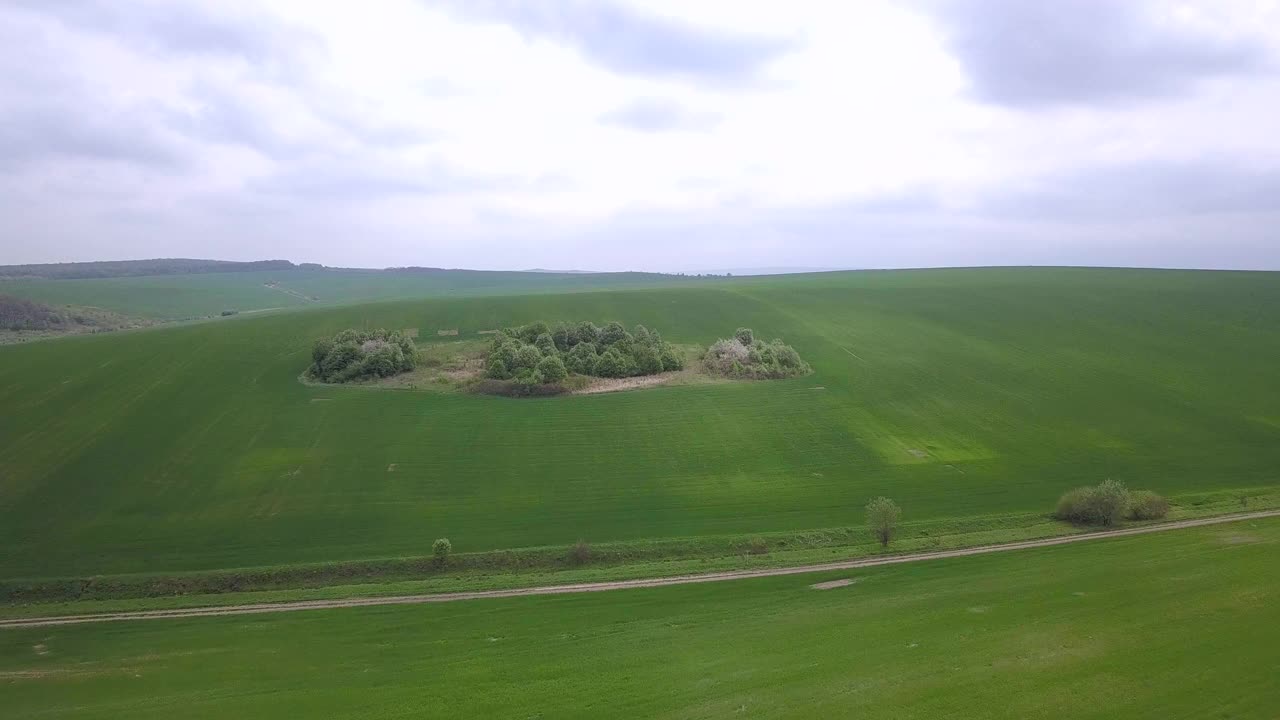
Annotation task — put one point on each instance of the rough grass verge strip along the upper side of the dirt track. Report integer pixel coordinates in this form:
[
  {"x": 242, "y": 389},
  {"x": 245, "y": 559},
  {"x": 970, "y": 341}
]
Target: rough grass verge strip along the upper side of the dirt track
[{"x": 552, "y": 566}]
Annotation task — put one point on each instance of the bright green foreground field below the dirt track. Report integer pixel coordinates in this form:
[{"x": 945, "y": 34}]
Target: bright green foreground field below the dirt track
[{"x": 1181, "y": 625}]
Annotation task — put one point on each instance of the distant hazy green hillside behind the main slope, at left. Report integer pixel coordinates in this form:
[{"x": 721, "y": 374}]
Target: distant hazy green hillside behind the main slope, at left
[{"x": 184, "y": 297}]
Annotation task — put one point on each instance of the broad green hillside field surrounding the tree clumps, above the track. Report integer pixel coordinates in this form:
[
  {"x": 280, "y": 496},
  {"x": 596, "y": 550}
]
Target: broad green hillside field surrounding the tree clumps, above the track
[{"x": 957, "y": 393}]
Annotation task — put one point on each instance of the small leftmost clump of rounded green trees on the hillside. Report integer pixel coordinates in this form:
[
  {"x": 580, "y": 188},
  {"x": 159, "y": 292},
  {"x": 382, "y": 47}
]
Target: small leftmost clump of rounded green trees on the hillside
[{"x": 354, "y": 356}]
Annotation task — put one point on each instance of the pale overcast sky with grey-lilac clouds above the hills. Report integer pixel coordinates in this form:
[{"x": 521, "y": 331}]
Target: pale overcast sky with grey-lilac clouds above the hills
[{"x": 643, "y": 136}]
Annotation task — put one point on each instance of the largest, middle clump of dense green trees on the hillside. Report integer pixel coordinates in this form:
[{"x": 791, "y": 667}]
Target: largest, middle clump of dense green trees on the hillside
[{"x": 541, "y": 354}]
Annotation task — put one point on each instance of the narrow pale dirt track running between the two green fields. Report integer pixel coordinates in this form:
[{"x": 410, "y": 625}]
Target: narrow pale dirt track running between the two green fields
[{"x": 619, "y": 585}]
